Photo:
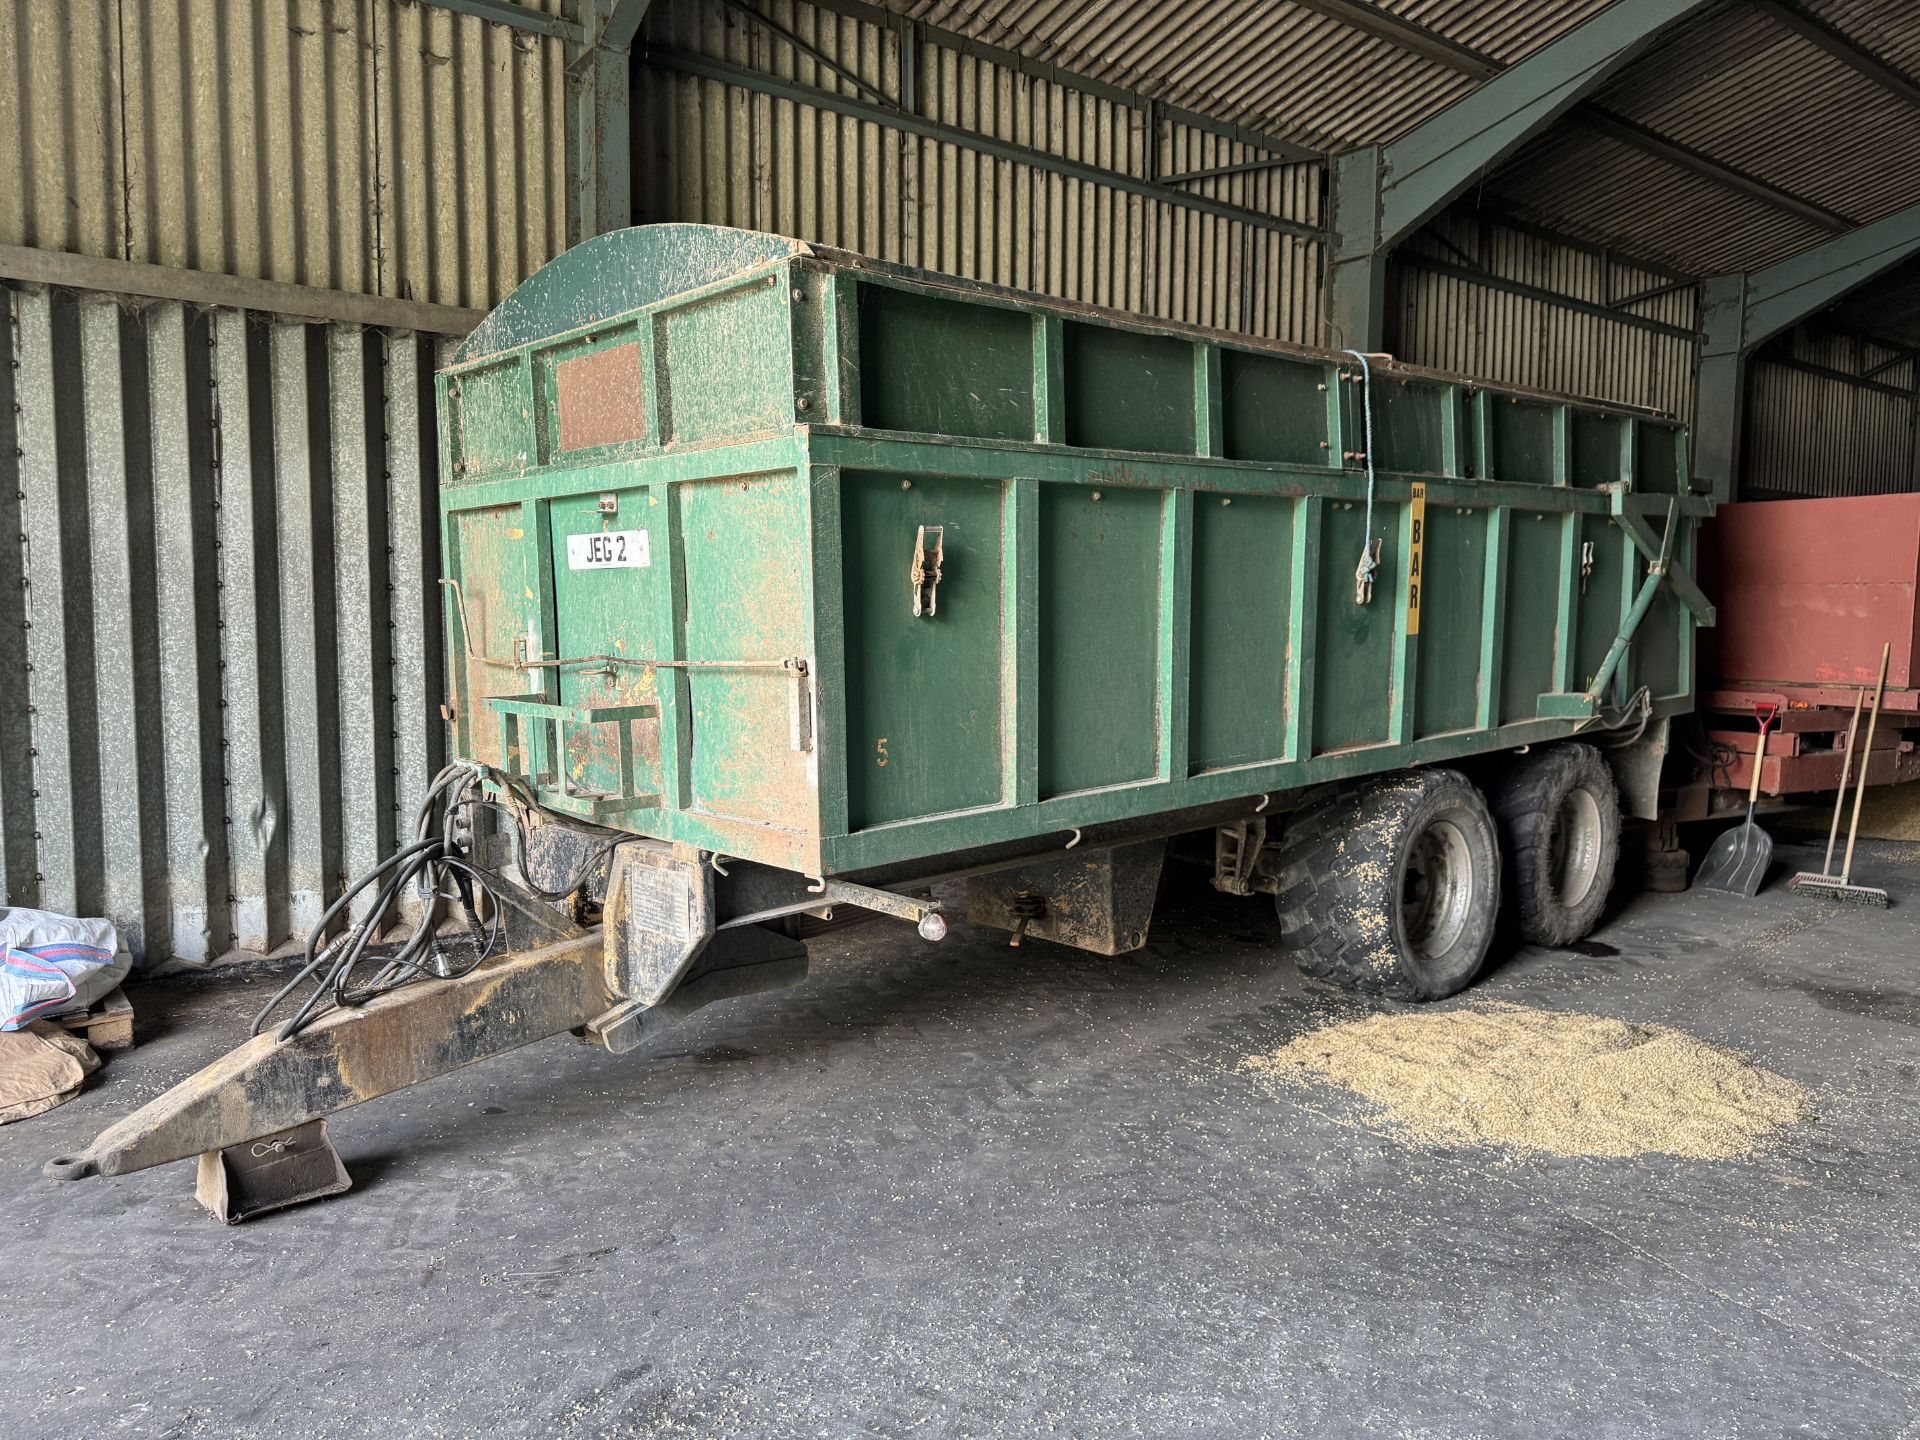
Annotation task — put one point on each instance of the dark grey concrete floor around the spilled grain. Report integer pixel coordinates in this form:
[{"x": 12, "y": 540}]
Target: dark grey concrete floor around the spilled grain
[{"x": 971, "y": 1191}]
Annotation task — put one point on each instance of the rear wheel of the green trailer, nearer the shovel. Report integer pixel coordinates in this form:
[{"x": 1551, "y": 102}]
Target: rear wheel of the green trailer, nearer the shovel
[{"x": 1560, "y": 827}]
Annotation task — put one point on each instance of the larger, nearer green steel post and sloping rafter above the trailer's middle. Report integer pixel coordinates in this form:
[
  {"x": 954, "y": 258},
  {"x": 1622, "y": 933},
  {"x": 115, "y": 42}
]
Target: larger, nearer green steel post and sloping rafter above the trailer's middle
[{"x": 1381, "y": 195}]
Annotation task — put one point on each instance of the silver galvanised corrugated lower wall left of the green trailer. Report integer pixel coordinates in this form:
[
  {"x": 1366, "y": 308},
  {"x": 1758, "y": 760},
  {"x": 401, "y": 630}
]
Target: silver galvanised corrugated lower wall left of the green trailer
[{"x": 226, "y": 671}]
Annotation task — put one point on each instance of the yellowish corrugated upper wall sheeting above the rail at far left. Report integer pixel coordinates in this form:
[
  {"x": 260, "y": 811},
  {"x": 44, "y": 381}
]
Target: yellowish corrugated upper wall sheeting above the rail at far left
[{"x": 375, "y": 147}]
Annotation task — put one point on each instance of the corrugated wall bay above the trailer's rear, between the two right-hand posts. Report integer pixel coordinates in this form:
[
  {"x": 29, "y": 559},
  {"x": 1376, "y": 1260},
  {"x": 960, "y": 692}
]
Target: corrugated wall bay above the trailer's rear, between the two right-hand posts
[{"x": 1491, "y": 300}]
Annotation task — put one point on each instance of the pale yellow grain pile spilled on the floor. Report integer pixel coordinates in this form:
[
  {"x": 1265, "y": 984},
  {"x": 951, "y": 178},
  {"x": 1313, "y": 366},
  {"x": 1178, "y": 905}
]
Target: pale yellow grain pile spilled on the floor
[{"x": 1543, "y": 1082}]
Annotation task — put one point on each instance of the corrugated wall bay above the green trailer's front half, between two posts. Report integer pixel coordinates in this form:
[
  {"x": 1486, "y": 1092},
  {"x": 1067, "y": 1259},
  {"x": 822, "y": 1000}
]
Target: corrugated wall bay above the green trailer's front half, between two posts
[{"x": 715, "y": 151}]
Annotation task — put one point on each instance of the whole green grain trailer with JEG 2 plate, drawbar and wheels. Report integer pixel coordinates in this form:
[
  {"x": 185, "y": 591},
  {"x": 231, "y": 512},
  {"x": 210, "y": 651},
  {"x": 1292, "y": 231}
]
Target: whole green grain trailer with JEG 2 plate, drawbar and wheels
[{"x": 782, "y": 581}]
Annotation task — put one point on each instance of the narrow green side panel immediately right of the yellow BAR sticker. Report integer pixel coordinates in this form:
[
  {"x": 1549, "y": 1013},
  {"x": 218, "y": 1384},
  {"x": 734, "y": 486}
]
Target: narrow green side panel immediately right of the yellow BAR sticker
[{"x": 1452, "y": 619}]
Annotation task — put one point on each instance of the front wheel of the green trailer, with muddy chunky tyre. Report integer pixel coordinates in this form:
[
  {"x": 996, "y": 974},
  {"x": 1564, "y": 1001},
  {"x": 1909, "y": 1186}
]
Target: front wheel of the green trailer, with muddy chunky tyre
[{"x": 1393, "y": 888}]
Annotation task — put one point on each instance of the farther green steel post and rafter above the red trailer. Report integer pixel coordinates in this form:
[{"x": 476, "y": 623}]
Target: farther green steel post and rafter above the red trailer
[{"x": 1739, "y": 312}]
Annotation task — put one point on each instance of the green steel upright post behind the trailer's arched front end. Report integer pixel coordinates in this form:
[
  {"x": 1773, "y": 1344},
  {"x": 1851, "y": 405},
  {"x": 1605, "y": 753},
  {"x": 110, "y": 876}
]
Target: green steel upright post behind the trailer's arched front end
[{"x": 600, "y": 145}]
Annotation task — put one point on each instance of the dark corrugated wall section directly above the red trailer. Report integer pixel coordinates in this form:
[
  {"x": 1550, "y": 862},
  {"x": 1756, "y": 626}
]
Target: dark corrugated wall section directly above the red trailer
[{"x": 1831, "y": 416}]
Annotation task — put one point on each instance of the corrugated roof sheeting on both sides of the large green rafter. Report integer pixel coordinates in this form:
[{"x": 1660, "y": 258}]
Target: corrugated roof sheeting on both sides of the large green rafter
[{"x": 1742, "y": 87}]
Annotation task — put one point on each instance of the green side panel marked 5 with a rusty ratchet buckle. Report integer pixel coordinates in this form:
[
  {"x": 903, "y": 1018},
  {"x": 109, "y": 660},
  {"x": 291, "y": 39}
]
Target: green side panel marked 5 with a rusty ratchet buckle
[{"x": 923, "y": 692}]
